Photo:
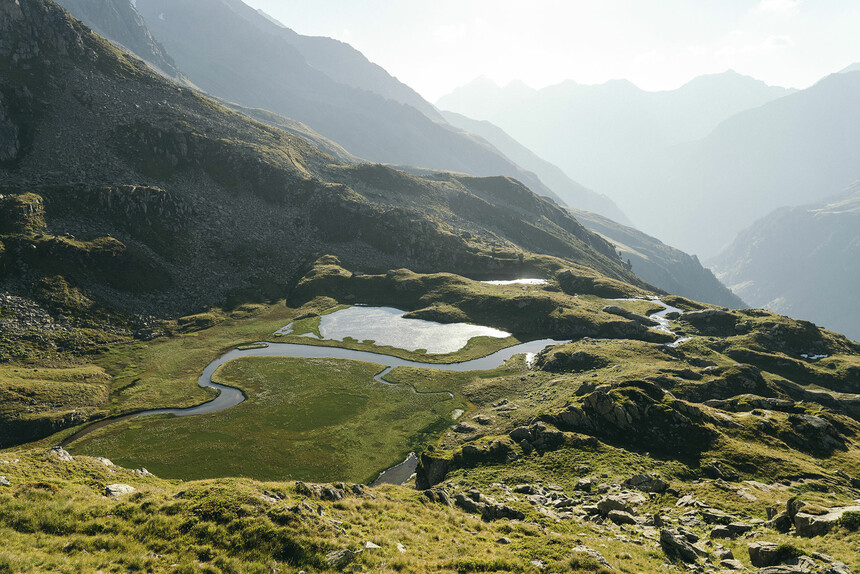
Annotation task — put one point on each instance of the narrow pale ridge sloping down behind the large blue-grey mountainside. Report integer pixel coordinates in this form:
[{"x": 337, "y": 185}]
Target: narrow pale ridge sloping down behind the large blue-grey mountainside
[{"x": 571, "y": 193}]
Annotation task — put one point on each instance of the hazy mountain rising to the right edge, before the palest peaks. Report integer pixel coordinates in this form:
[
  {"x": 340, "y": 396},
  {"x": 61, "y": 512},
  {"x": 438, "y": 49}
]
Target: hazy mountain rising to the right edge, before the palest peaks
[{"x": 792, "y": 151}]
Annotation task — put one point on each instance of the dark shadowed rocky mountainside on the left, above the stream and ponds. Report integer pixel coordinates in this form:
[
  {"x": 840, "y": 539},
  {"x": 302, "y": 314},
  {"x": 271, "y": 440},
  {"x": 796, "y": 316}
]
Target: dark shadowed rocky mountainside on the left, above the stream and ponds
[{"x": 161, "y": 200}]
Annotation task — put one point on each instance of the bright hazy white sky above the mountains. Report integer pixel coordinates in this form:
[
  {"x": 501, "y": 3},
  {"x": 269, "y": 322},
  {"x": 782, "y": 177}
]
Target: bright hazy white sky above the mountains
[{"x": 437, "y": 45}]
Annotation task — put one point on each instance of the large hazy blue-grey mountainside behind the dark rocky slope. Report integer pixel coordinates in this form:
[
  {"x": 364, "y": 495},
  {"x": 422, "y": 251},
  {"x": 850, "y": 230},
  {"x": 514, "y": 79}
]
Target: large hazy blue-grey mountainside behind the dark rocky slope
[{"x": 233, "y": 52}]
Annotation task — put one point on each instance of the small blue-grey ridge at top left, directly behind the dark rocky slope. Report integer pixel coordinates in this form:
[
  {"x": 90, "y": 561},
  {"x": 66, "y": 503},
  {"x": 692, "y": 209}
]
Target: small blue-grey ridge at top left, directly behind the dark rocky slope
[{"x": 120, "y": 22}]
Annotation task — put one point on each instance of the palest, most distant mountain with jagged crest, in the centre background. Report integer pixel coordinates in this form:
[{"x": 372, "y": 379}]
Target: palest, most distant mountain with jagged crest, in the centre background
[{"x": 606, "y": 136}]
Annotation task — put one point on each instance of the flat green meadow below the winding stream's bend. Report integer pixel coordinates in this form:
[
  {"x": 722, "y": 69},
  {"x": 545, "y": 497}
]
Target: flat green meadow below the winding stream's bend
[{"x": 308, "y": 419}]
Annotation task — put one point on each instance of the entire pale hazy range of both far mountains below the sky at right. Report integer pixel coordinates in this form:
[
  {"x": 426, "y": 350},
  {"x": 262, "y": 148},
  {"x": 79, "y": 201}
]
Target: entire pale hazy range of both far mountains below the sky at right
[{"x": 716, "y": 153}]
